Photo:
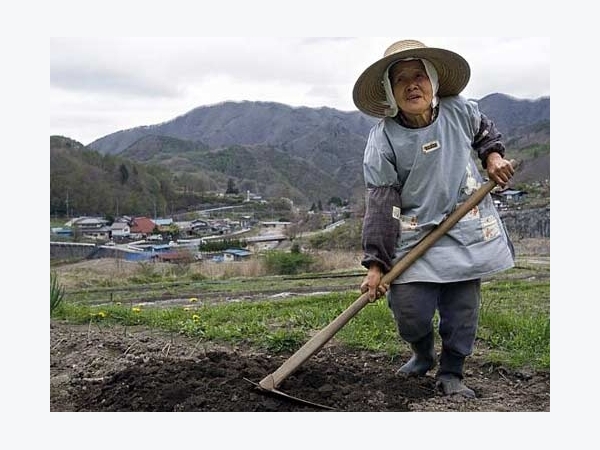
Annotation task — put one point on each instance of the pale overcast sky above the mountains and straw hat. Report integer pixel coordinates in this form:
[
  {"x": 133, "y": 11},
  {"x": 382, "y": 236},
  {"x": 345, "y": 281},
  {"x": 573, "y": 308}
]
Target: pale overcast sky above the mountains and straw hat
[{"x": 102, "y": 85}]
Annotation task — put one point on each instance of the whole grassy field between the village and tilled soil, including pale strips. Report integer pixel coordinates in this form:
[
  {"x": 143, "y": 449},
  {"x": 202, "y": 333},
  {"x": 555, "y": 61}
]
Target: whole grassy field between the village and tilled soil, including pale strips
[{"x": 514, "y": 324}]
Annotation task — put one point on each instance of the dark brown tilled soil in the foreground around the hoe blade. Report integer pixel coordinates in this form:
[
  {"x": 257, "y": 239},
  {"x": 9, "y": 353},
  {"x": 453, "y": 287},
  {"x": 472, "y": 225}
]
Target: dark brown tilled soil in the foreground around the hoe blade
[{"x": 116, "y": 368}]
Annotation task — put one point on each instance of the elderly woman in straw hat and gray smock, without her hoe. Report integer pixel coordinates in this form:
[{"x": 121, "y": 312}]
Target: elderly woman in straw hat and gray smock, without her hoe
[{"x": 418, "y": 167}]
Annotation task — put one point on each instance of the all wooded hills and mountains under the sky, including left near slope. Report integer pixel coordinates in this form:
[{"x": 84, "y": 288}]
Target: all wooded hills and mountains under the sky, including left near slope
[{"x": 307, "y": 155}]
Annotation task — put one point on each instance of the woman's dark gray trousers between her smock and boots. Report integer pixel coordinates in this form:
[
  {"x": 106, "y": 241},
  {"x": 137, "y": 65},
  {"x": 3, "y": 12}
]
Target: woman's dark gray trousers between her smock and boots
[{"x": 413, "y": 306}]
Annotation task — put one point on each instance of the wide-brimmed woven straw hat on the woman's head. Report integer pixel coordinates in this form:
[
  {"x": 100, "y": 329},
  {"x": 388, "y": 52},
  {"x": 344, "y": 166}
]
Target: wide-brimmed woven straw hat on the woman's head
[{"x": 453, "y": 74}]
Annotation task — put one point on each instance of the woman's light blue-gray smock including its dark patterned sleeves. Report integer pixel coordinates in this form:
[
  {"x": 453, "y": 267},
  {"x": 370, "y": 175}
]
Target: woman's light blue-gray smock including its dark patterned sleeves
[{"x": 415, "y": 178}]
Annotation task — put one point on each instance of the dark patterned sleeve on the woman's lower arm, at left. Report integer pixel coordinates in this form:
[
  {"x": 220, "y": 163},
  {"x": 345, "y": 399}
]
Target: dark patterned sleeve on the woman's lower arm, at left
[{"x": 380, "y": 229}]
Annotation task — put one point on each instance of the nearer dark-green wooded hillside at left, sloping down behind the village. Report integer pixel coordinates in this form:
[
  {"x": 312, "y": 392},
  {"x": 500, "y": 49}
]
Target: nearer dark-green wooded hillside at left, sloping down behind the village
[{"x": 86, "y": 182}]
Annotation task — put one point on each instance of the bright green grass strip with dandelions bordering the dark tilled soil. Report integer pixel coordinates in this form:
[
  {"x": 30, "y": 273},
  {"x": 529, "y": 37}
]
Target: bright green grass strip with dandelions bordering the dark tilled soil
[{"x": 514, "y": 326}]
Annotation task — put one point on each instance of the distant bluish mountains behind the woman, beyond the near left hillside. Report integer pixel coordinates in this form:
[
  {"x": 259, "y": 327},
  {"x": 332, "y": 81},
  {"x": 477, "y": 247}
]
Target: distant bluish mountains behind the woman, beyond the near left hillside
[{"x": 305, "y": 154}]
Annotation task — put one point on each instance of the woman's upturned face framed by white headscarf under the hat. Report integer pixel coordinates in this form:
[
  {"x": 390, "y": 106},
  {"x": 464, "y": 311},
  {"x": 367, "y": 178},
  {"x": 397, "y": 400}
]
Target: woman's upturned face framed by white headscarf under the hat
[{"x": 411, "y": 86}]
